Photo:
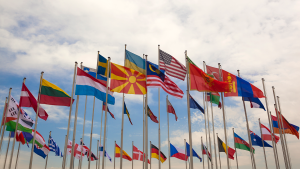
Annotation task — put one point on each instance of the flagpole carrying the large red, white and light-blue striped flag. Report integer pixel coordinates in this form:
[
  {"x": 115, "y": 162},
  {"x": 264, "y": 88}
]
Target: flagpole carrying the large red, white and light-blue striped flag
[{"x": 70, "y": 113}]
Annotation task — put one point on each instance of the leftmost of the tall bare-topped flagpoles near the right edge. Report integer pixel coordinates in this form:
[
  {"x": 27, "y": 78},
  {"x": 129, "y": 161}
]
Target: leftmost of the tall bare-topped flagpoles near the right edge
[{"x": 271, "y": 127}]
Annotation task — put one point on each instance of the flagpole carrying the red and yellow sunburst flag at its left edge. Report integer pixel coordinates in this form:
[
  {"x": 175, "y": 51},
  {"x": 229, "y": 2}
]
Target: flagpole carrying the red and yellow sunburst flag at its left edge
[{"x": 105, "y": 116}]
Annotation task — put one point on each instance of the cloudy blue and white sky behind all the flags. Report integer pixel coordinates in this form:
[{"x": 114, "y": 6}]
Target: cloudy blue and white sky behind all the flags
[{"x": 259, "y": 38}]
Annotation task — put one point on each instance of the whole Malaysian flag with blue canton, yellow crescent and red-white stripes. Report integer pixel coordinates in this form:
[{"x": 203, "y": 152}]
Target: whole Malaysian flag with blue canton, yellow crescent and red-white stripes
[{"x": 156, "y": 78}]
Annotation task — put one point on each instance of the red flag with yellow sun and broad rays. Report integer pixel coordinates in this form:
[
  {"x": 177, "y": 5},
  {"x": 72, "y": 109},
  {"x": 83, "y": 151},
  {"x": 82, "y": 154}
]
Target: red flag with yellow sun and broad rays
[{"x": 126, "y": 80}]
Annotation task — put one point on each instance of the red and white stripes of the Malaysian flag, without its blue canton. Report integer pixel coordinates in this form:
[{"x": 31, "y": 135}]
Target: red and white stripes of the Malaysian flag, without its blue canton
[{"x": 168, "y": 85}]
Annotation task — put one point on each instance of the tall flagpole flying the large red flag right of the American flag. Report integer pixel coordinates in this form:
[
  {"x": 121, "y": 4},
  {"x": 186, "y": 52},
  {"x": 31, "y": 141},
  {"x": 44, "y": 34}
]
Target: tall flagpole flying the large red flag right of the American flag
[{"x": 189, "y": 113}]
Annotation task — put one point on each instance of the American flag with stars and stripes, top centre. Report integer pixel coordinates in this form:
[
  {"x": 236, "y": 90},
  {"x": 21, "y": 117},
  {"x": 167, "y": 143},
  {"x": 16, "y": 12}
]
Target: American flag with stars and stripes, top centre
[{"x": 171, "y": 66}]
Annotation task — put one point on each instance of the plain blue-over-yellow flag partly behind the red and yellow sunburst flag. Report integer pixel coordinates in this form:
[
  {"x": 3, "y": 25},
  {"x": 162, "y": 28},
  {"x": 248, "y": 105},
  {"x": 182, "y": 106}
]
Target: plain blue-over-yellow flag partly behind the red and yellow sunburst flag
[{"x": 134, "y": 62}]
